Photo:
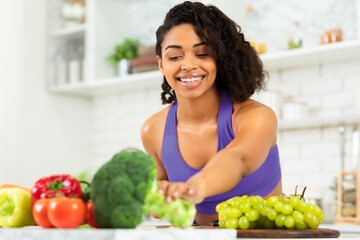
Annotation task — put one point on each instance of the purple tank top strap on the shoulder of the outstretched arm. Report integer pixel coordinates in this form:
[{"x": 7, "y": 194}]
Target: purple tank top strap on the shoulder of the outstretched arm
[{"x": 224, "y": 125}]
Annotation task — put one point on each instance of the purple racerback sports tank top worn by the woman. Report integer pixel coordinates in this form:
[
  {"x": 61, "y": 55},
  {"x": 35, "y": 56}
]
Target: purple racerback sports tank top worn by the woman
[{"x": 261, "y": 182}]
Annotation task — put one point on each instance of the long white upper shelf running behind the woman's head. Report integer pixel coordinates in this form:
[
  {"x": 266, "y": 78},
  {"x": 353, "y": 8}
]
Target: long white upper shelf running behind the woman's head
[{"x": 333, "y": 52}]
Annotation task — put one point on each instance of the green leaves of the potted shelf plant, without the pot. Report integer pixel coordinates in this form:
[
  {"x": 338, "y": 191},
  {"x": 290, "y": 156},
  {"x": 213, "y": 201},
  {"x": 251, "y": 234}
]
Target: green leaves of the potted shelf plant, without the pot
[{"x": 129, "y": 49}]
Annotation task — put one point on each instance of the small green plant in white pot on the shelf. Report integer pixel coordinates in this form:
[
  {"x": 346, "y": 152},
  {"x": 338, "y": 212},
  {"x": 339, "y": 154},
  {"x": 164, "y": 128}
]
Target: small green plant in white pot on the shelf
[{"x": 122, "y": 55}]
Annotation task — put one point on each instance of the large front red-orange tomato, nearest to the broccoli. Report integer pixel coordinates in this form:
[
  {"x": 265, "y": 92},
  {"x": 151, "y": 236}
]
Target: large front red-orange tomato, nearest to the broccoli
[{"x": 65, "y": 212}]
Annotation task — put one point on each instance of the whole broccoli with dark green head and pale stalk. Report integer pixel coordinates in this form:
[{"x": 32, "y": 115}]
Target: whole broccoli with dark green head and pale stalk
[{"x": 123, "y": 190}]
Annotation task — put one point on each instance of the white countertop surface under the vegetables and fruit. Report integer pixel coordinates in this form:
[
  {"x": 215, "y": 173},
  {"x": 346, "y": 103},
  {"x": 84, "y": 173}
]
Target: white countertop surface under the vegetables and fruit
[{"x": 144, "y": 231}]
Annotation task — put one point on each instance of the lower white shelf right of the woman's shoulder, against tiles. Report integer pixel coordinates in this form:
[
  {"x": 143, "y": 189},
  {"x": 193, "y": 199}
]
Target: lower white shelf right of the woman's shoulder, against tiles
[{"x": 316, "y": 122}]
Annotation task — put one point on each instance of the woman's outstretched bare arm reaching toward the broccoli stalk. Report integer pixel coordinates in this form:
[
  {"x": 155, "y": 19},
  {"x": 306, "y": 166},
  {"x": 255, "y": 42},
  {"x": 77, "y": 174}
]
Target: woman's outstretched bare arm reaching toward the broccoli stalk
[{"x": 255, "y": 134}]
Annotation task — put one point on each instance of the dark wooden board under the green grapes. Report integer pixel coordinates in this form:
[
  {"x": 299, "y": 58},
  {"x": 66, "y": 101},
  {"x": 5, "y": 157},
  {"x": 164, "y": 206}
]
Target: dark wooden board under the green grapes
[{"x": 282, "y": 233}]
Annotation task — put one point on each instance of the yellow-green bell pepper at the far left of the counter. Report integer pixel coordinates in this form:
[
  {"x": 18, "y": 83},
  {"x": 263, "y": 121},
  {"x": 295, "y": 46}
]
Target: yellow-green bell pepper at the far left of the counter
[{"x": 15, "y": 208}]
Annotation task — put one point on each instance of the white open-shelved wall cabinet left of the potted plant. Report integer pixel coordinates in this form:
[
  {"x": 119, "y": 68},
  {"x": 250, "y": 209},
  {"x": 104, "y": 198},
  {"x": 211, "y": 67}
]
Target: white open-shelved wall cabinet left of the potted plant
[{"x": 77, "y": 52}]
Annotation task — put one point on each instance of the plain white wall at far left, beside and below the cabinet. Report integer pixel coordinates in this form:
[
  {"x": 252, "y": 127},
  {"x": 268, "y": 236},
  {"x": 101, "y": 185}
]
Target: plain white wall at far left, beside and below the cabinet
[{"x": 41, "y": 133}]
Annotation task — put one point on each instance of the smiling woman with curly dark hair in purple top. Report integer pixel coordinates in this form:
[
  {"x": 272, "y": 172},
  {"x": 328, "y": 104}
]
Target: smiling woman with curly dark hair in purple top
[{"x": 213, "y": 142}]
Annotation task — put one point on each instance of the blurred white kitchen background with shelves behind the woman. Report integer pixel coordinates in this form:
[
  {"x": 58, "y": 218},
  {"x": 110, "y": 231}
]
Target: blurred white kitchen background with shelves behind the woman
[{"x": 66, "y": 108}]
